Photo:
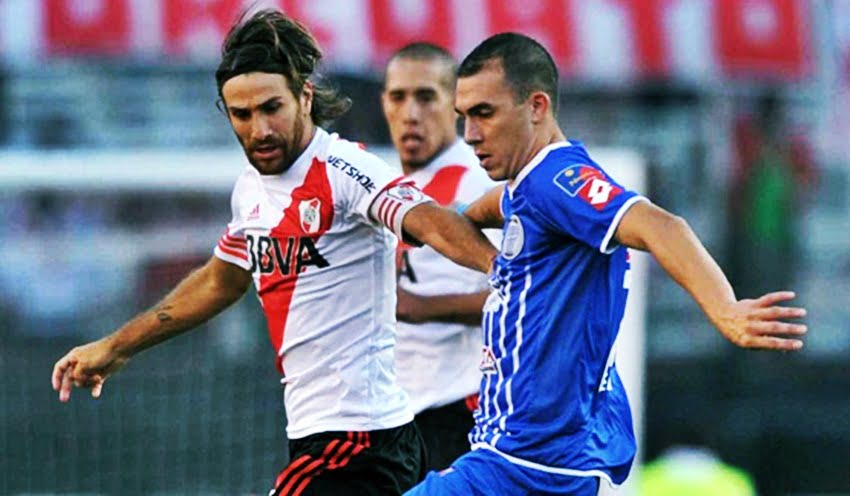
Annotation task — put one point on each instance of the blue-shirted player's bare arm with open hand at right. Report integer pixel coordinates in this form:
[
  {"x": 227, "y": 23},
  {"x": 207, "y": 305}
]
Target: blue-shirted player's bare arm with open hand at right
[{"x": 747, "y": 323}]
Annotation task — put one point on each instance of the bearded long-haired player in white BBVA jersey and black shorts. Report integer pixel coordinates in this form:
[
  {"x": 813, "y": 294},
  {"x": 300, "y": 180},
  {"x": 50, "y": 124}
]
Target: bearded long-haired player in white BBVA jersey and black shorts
[{"x": 315, "y": 222}]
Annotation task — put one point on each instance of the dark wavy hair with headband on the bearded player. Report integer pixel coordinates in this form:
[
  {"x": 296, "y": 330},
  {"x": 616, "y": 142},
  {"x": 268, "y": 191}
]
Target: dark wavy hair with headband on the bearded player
[{"x": 269, "y": 41}]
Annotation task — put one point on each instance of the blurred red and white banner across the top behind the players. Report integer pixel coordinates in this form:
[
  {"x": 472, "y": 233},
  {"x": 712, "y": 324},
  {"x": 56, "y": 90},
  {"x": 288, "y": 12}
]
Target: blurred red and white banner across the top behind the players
[{"x": 613, "y": 38}]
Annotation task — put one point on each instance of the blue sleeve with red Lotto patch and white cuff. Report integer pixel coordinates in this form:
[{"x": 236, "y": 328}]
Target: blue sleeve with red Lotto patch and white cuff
[{"x": 577, "y": 198}]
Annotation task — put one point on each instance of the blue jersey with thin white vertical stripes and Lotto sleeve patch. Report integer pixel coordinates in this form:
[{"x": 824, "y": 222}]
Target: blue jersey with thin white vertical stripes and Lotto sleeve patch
[{"x": 550, "y": 396}]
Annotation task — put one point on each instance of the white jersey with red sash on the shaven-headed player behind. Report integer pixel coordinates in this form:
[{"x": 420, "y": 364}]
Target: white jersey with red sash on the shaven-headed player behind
[{"x": 437, "y": 362}]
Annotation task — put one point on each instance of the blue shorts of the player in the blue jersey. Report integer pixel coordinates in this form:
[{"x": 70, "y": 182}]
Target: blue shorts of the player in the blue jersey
[{"x": 485, "y": 473}]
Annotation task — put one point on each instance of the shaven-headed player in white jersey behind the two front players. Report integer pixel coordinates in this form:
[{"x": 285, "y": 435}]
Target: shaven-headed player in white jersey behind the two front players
[{"x": 439, "y": 302}]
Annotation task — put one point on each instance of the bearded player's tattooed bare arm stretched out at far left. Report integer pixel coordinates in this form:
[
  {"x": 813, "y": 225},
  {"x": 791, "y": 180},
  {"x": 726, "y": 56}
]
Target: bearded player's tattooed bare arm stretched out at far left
[{"x": 200, "y": 296}]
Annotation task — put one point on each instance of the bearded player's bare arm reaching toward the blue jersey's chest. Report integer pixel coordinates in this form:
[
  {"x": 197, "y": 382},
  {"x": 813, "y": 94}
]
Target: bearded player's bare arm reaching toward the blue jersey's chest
[{"x": 452, "y": 235}]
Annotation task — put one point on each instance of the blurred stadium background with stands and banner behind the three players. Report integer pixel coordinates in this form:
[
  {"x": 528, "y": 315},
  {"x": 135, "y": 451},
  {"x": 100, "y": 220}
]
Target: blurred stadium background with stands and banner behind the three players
[{"x": 115, "y": 169}]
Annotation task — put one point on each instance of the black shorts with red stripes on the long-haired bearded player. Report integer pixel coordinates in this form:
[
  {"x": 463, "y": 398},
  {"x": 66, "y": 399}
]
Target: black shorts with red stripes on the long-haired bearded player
[{"x": 381, "y": 462}]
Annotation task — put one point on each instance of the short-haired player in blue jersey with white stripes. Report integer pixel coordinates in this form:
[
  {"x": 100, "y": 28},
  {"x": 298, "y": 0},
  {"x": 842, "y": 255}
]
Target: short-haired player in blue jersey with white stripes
[{"x": 553, "y": 415}]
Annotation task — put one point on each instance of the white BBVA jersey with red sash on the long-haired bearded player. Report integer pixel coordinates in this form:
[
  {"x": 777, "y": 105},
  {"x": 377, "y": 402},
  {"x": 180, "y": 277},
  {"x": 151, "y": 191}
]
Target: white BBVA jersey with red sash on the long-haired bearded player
[{"x": 324, "y": 271}]
